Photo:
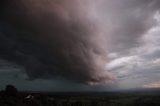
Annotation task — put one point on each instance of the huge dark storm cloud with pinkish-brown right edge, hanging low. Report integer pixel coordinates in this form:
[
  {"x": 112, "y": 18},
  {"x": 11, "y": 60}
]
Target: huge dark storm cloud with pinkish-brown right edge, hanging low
[{"x": 52, "y": 38}]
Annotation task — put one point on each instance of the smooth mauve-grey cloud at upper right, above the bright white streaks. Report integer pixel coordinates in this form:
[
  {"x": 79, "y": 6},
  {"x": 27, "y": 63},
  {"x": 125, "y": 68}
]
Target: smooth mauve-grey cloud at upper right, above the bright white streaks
[{"x": 127, "y": 21}]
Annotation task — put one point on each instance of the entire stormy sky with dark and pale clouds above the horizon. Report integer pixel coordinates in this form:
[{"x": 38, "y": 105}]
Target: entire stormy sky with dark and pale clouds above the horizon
[{"x": 80, "y": 45}]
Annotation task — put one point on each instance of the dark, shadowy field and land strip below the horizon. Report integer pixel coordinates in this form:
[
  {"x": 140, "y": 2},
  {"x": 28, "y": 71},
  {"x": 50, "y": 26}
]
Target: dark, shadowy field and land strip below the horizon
[{"x": 12, "y": 97}]
